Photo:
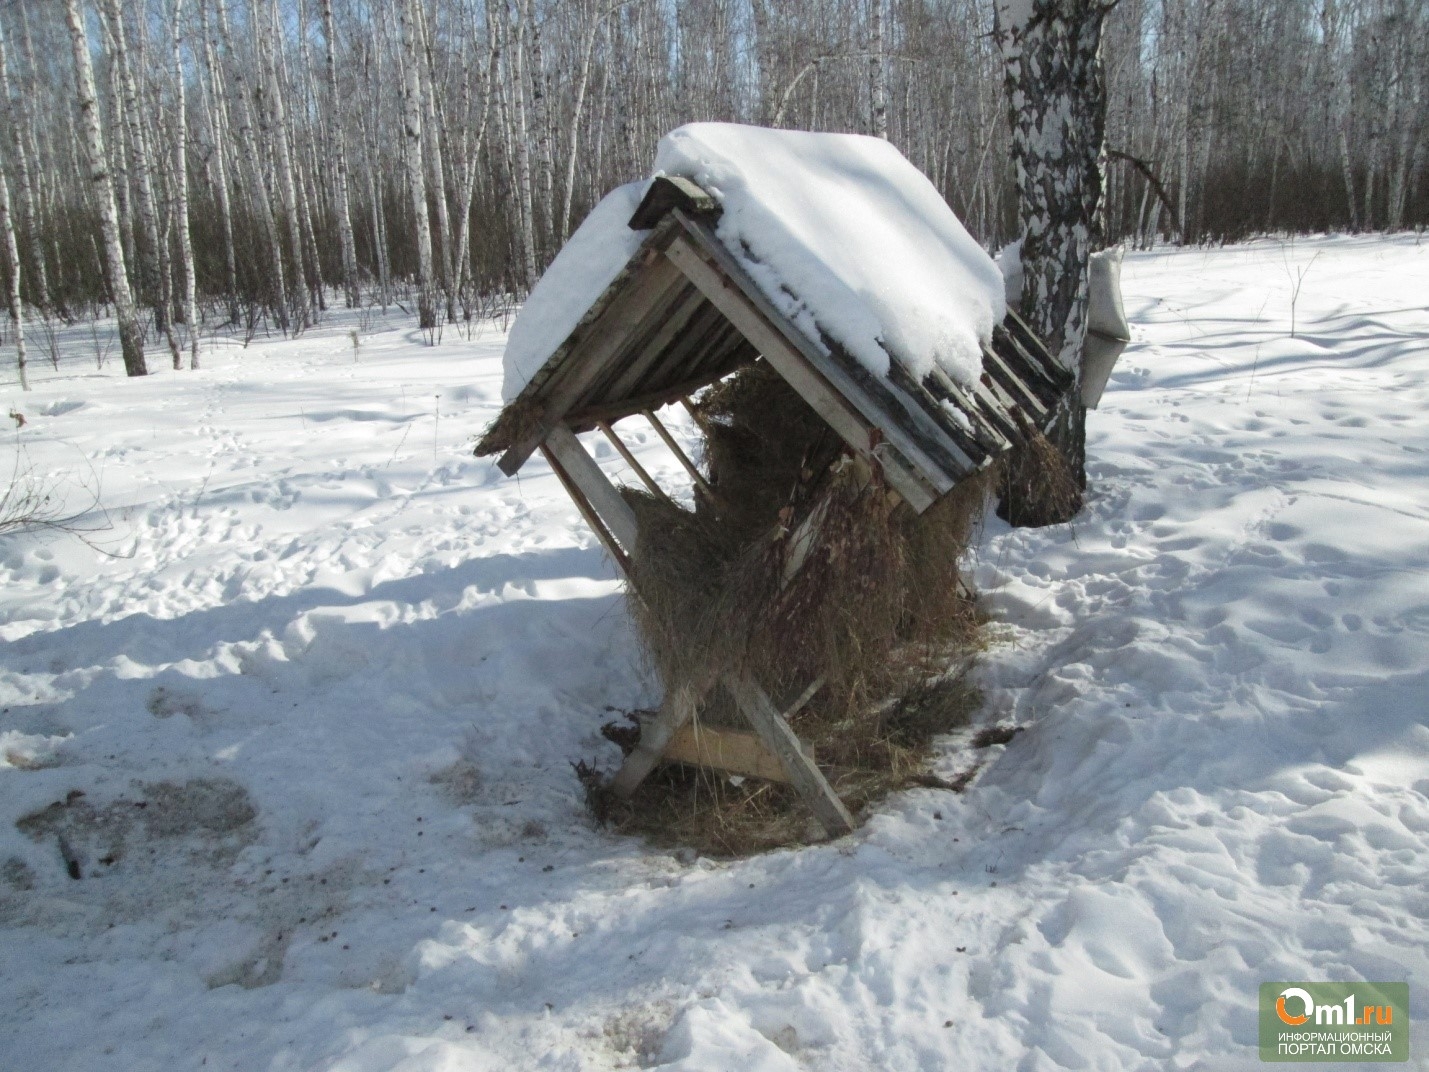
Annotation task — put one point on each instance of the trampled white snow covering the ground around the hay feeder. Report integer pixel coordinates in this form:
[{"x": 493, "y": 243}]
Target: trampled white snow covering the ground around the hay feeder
[{"x": 321, "y": 710}]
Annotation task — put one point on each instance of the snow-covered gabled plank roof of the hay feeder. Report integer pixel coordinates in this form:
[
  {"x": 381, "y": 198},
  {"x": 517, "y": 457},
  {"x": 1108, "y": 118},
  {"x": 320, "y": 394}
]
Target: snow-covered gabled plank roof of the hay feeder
[{"x": 830, "y": 255}]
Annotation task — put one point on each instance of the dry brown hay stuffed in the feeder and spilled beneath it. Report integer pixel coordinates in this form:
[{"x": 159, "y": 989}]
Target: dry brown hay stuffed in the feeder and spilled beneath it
[{"x": 878, "y": 610}]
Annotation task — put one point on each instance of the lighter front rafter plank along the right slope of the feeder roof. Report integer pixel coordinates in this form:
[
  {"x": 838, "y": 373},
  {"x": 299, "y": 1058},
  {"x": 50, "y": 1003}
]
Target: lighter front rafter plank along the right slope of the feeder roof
[{"x": 788, "y": 361}]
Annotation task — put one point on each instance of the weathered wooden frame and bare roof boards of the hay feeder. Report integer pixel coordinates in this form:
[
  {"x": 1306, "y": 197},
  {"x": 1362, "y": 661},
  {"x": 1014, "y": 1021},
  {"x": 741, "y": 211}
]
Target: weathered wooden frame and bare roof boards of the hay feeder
[{"x": 685, "y": 314}]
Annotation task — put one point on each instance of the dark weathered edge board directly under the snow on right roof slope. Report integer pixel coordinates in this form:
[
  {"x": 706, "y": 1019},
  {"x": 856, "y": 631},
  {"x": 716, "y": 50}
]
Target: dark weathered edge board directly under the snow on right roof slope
[{"x": 702, "y": 242}]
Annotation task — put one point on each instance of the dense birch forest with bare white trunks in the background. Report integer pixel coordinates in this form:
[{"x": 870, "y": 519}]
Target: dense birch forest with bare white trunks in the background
[{"x": 185, "y": 162}]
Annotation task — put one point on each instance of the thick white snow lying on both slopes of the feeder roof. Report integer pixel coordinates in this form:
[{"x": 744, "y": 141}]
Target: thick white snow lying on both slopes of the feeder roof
[{"x": 841, "y": 232}]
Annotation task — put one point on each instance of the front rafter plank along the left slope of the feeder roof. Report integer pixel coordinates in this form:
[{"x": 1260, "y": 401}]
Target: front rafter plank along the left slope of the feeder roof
[{"x": 592, "y": 357}]
